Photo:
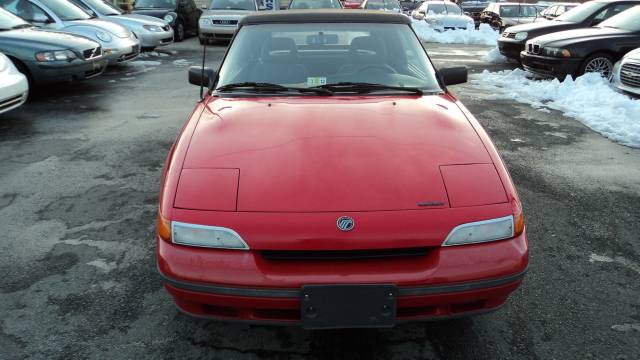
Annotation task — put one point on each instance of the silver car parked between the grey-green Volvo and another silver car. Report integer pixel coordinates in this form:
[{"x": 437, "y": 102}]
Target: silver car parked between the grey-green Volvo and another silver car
[{"x": 118, "y": 43}]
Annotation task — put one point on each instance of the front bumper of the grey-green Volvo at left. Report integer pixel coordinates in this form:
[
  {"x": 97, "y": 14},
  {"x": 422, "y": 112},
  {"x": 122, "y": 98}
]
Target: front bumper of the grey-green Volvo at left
[{"x": 59, "y": 72}]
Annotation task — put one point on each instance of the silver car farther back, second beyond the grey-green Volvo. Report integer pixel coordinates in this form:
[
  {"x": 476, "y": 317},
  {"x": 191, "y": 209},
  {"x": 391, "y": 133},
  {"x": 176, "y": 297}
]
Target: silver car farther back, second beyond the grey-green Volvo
[{"x": 151, "y": 31}]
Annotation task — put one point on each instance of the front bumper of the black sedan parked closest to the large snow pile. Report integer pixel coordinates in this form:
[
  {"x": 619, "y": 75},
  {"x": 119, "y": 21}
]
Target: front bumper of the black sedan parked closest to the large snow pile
[{"x": 550, "y": 67}]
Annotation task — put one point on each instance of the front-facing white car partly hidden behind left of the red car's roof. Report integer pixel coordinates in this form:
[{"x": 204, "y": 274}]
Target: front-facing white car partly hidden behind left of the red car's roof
[{"x": 219, "y": 21}]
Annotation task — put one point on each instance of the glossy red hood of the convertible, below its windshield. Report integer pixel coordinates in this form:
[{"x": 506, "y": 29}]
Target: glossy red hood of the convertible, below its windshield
[{"x": 332, "y": 154}]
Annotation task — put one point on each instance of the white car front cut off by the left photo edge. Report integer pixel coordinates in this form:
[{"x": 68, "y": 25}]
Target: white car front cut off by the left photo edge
[{"x": 14, "y": 87}]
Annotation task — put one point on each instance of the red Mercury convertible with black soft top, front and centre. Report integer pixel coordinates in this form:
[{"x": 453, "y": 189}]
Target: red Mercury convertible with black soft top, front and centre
[{"x": 328, "y": 179}]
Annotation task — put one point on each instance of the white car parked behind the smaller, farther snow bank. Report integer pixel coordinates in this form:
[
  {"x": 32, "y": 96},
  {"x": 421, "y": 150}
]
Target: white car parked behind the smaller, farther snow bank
[{"x": 443, "y": 15}]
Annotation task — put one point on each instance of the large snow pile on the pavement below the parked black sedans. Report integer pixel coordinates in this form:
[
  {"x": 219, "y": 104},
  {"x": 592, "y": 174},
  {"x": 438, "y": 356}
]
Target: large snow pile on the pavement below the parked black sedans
[{"x": 590, "y": 99}]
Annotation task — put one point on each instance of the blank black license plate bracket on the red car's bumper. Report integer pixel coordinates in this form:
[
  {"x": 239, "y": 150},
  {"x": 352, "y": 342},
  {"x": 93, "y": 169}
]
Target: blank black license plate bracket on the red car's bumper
[{"x": 348, "y": 306}]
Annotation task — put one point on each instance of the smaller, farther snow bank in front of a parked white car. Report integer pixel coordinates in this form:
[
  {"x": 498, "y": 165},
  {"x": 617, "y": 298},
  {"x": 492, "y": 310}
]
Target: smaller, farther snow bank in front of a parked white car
[{"x": 485, "y": 35}]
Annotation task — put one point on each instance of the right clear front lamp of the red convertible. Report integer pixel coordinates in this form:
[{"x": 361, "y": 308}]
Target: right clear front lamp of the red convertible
[{"x": 481, "y": 231}]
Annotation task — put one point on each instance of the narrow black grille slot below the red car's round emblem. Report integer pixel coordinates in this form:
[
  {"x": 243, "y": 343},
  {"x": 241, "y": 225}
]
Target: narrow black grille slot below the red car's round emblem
[{"x": 305, "y": 255}]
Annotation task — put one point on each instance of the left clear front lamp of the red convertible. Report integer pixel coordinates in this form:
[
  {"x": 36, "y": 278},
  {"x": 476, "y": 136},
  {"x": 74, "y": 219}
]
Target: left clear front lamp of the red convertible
[{"x": 206, "y": 236}]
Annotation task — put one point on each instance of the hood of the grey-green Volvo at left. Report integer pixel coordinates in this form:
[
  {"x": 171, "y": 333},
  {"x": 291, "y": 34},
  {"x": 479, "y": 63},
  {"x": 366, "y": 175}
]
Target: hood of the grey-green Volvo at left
[{"x": 45, "y": 40}]
